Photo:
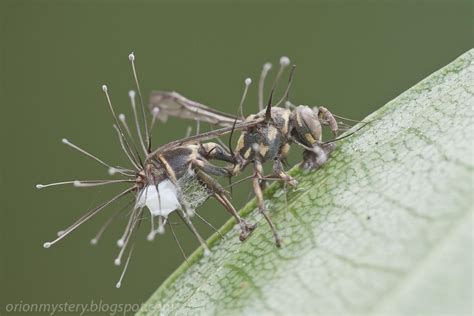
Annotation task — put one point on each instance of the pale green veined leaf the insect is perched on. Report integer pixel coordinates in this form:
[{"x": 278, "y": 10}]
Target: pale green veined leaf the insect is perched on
[{"x": 385, "y": 227}]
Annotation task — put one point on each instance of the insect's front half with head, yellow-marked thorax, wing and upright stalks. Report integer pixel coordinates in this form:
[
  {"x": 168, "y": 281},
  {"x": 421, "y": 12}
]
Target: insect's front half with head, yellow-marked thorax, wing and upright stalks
[{"x": 269, "y": 135}]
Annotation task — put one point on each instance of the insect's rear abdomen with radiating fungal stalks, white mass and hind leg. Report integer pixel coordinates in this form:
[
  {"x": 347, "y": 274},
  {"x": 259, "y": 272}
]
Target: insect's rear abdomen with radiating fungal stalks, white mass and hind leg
[{"x": 175, "y": 177}]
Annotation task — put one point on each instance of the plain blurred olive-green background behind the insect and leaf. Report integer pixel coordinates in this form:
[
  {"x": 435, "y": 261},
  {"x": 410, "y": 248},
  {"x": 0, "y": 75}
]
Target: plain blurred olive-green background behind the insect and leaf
[{"x": 352, "y": 56}]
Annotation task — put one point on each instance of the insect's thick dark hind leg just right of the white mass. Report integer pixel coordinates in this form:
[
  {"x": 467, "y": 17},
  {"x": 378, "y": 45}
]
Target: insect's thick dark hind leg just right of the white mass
[{"x": 219, "y": 195}]
